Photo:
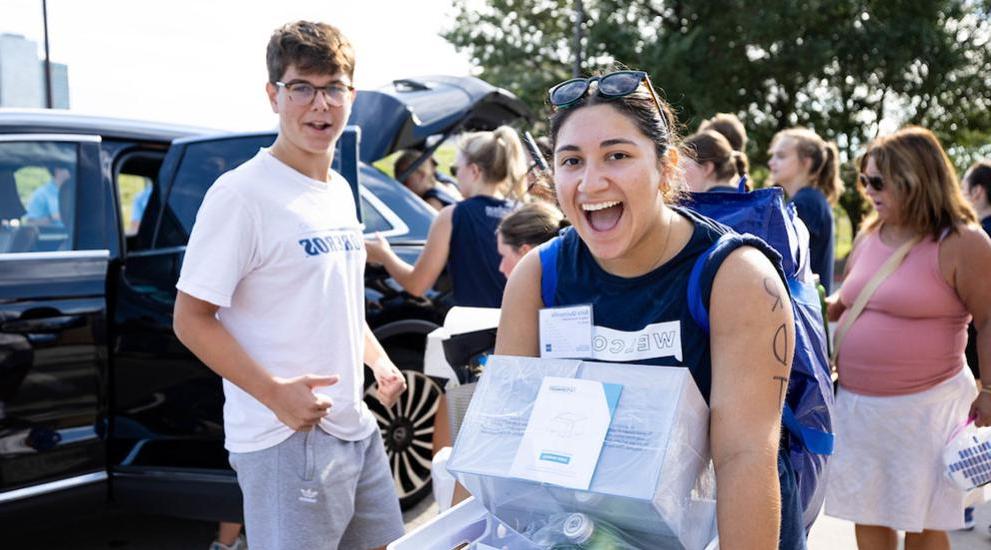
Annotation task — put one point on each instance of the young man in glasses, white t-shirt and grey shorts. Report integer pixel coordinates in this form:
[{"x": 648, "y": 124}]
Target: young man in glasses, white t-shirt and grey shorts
[{"x": 271, "y": 298}]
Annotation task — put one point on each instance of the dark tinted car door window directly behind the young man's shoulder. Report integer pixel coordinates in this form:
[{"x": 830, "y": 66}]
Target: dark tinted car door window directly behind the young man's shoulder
[{"x": 202, "y": 163}]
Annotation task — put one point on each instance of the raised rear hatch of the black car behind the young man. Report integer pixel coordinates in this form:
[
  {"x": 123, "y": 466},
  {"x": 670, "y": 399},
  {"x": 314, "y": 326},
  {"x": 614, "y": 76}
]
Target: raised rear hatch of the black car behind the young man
[{"x": 406, "y": 112}]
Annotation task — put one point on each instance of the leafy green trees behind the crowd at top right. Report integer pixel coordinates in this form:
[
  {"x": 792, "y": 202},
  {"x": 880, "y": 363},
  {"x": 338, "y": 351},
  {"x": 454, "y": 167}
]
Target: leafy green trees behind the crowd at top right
[{"x": 849, "y": 69}]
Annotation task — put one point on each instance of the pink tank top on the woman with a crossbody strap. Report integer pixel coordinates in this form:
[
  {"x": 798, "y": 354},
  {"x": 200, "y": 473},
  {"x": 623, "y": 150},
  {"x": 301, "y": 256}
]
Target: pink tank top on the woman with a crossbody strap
[{"x": 912, "y": 334}]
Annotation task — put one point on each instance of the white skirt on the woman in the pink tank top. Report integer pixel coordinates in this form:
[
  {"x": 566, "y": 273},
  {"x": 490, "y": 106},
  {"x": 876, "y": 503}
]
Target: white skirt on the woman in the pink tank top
[{"x": 887, "y": 466}]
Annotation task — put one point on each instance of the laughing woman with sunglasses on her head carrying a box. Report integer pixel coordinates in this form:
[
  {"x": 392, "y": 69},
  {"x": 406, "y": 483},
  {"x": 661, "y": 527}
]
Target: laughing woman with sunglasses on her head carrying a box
[{"x": 629, "y": 256}]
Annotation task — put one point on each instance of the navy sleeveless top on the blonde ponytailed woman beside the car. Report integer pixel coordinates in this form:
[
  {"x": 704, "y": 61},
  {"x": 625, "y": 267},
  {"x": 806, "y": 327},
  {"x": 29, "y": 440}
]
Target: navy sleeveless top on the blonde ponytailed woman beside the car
[{"x": 473, "y": 260}]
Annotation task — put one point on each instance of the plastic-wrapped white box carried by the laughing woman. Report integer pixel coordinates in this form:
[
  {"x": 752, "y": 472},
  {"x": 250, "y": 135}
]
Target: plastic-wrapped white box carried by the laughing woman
[{"x": 654, "y": 478}]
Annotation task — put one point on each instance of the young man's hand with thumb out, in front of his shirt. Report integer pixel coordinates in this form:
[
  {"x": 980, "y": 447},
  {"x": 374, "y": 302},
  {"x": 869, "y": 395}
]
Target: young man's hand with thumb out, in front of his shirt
[{"x": 294, "y": 403}]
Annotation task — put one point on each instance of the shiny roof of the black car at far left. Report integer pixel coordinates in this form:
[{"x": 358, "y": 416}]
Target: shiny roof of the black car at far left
[{"x": 66, "y": 122}]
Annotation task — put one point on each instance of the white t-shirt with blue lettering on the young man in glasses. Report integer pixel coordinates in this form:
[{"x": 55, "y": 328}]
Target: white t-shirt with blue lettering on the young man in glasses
[{"x": 283, "y": 256}]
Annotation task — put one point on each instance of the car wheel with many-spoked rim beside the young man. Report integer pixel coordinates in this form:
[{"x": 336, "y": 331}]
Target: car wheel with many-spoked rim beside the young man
[{"x": 407, "y": 427}]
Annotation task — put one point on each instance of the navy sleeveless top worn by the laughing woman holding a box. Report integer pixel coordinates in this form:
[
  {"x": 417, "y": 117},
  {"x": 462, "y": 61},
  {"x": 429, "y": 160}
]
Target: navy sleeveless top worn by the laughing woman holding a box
[{"x": 646, "y": 320}]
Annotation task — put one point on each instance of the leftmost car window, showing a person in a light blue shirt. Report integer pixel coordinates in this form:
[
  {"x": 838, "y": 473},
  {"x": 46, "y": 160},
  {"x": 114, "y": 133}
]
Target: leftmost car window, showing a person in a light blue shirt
[{"x": 37, "y": 195}]
